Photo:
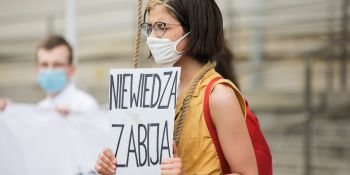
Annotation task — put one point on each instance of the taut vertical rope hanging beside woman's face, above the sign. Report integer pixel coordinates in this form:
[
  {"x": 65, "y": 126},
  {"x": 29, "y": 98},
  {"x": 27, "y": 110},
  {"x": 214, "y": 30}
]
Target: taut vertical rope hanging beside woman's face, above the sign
[{"x": 138, "y": 35}]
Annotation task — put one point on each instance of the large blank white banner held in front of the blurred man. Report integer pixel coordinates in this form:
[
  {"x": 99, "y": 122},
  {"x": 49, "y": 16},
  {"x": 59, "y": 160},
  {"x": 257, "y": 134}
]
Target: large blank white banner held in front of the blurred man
[{"x": 41, "y": 141}]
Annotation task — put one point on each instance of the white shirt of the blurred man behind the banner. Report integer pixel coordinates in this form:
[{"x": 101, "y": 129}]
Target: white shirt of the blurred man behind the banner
[{"x": 75, "y": 99}]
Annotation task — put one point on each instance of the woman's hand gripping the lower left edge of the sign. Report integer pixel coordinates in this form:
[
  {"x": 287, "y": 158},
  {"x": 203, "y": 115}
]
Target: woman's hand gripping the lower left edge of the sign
[{"x": 106, "y": 163}]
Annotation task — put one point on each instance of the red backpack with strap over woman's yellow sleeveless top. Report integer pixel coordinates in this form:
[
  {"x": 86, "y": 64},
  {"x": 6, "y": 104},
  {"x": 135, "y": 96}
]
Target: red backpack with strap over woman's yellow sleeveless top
[{"x": 261, "y": 148}]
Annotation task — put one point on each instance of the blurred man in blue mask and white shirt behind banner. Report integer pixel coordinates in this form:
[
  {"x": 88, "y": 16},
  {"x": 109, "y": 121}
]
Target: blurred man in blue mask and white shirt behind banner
[{"x": 55, "y": 69}]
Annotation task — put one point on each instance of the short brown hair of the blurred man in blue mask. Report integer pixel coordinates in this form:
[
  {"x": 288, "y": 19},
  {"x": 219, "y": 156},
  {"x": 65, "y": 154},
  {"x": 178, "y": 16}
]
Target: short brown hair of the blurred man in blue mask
[{"x": 54, "y": 41}]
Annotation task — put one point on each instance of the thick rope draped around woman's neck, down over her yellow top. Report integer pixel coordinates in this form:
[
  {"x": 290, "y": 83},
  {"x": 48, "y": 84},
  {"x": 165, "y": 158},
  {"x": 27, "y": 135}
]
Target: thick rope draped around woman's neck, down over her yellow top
[{"x": 187, "y": 99}]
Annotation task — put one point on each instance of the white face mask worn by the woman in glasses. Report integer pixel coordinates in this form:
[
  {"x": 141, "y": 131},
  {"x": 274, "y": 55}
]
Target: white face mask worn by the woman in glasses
[{"x": 164, "y": 50}]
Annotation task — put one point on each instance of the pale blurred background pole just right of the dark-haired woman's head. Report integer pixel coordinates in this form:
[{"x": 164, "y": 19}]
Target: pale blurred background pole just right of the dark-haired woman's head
[{"x": 256, "y": 53}]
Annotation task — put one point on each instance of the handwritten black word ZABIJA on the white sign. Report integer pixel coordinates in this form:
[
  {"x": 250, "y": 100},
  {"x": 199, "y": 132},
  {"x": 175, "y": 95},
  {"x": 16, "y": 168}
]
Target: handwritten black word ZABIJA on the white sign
[{"x": 141, "y": 149}]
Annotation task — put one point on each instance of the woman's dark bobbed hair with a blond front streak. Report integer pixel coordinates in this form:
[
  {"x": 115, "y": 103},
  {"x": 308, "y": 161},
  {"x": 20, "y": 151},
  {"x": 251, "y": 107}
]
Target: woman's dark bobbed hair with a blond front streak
[{"x": 204, "y": 20}]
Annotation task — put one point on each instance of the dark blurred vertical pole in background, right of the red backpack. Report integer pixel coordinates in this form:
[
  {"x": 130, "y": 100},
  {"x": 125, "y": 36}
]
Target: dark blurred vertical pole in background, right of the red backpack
[{"x": 308, "y": 110}]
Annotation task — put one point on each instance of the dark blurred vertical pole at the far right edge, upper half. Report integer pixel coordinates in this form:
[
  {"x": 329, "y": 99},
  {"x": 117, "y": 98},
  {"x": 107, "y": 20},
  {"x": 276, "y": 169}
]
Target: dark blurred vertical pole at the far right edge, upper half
[{"x": 344, "y": 44}]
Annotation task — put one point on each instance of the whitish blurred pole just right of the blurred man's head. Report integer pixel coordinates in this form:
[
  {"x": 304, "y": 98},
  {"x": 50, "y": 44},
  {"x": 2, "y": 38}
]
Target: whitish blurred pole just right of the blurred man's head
[{"x": 70, "y": 26}]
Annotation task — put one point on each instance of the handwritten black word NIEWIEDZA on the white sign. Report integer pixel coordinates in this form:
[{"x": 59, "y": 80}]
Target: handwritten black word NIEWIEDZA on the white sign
[{"x": 150, "y": 92}]
